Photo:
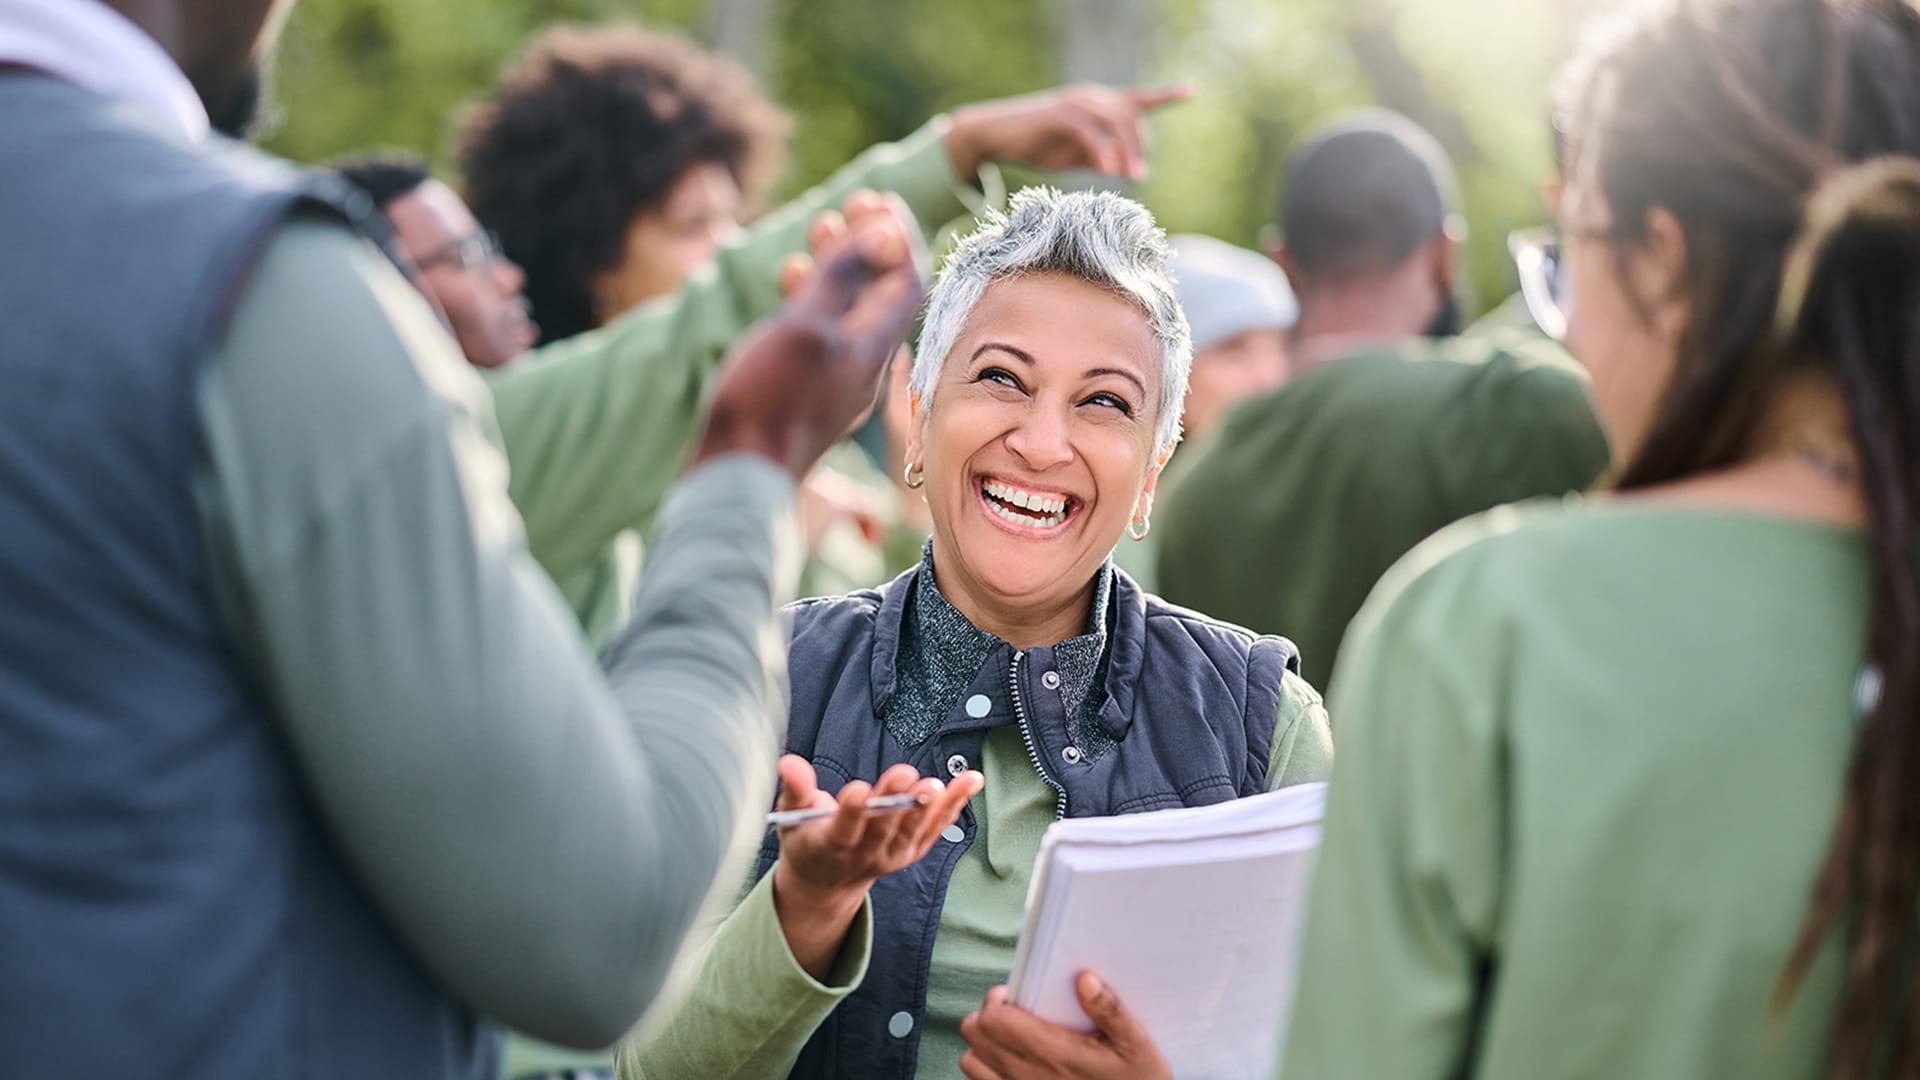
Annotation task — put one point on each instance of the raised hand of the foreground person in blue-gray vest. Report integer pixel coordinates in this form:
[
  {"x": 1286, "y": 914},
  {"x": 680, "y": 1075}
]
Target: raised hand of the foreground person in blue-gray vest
[{"x": 805, "y": 376}]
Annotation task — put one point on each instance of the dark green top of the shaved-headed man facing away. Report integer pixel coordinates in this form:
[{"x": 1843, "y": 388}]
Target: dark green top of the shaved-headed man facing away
[{"x": 1295, "y": 508}]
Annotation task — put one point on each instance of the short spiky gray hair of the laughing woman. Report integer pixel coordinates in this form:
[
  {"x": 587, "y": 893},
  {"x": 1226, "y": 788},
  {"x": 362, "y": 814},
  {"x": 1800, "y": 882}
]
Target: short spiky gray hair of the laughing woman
[{"x": 1097, "y": 237}]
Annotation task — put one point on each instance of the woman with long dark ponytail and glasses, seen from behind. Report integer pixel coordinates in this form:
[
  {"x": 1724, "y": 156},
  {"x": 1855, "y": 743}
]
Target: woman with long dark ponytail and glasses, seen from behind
[{"x": 1631, "y": 787}]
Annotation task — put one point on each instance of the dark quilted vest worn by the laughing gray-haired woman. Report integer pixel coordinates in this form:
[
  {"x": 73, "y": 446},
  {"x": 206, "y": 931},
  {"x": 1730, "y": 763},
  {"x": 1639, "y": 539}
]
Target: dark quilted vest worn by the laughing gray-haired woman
[{"x": 1189, "y": 716}]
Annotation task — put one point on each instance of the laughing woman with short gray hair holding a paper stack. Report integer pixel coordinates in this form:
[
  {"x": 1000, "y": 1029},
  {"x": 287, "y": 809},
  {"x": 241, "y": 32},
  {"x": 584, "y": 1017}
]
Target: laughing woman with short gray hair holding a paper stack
[{"x": 1015, "y": 660}]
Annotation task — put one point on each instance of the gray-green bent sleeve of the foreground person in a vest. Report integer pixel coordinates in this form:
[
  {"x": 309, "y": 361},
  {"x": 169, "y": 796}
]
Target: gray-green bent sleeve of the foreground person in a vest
[{"x": 537, "y": 835}]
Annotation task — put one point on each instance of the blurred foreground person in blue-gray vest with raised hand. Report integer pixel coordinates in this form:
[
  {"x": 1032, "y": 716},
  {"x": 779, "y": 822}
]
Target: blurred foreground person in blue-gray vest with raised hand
[{"x": 304, "y": 766}]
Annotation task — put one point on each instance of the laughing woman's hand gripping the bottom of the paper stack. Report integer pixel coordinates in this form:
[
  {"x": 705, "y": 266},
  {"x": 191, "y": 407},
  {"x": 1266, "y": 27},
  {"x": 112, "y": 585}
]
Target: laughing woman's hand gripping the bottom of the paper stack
[{"x": 1011, "y": 1044}]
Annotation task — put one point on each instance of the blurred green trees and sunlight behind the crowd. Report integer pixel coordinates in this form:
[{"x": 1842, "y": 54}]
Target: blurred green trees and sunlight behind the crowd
[{"x": 859, "y": 72}]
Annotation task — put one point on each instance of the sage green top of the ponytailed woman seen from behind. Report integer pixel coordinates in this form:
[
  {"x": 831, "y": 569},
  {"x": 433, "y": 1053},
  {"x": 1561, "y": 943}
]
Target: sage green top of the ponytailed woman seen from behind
[{"x": 1591, "y": 760}]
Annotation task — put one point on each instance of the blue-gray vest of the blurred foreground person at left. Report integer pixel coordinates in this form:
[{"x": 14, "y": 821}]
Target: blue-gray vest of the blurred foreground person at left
[{"x": 168, "y": 902}]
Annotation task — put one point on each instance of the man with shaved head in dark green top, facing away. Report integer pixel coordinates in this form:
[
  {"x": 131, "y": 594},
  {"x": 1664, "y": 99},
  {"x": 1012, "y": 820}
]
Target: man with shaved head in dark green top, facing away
[{"x": 1389, "y": 428}]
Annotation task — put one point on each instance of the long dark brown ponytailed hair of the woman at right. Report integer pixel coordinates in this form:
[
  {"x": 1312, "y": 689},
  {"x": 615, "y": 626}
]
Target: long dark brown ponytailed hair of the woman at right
[{"x": 1785, "y": 135}]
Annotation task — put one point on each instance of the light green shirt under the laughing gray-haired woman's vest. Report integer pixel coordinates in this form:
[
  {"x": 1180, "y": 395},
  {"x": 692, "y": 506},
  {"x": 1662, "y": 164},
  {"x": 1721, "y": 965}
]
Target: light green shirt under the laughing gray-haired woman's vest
[{"x": 752, "y": 1008}]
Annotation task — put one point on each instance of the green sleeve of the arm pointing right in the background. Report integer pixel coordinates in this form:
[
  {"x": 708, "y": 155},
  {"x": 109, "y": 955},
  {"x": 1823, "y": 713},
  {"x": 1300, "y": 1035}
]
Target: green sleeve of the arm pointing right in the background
[{"x": 598, "y": 426}]
